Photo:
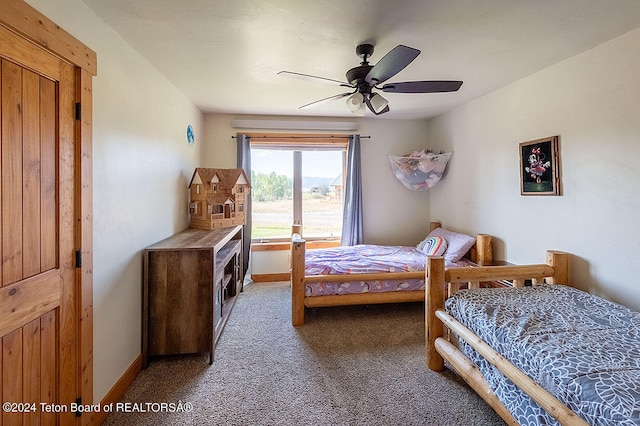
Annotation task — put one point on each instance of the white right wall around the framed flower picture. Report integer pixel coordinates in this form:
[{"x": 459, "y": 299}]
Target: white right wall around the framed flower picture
[{"x": 592, "y": 102}]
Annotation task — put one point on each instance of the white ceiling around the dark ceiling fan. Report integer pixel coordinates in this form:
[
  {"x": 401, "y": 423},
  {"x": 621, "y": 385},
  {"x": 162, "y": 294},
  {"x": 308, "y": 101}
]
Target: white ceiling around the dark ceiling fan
[{"x": 225, "y": 54}]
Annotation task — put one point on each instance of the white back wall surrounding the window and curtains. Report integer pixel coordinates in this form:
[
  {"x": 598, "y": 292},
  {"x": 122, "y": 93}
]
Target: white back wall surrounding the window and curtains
[{"x": 393, "y": 214}]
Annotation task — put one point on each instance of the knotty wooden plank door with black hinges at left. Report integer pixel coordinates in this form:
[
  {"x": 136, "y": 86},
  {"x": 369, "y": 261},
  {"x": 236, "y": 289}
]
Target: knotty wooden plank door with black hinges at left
[{"x": 38, "y": 296}]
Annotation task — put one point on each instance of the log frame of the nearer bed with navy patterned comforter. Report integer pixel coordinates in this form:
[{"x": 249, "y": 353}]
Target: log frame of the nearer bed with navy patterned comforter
[{"x": 440, "y": 281}]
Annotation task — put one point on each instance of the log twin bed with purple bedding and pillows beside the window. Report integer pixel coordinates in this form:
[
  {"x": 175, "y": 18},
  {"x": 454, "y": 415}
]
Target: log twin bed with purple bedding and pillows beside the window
[{"x": 370, "y": 274}]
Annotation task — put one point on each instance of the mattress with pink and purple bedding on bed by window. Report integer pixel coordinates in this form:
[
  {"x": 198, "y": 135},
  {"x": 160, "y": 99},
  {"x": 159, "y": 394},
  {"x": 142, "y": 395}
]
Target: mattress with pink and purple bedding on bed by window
[{"x": 365, "y": 259}]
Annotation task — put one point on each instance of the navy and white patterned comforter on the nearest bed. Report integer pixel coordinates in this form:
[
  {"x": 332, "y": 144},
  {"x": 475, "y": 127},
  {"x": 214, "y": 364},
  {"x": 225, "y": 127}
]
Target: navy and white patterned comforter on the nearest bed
[{"x": 581, "y": 348}]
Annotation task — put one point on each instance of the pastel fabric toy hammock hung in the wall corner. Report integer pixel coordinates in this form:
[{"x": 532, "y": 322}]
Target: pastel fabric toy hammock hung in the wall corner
[{"x": 419, "y": 170}]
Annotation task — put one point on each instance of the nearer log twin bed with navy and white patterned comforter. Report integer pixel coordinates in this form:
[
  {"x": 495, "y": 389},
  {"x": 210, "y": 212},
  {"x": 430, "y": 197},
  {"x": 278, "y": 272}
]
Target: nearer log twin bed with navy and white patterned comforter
[{"x": 544, "y": 353}]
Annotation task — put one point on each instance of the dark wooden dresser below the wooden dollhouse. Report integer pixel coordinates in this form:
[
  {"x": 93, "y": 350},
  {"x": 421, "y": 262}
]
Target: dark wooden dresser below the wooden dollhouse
[{"x": 190, "y": 283}]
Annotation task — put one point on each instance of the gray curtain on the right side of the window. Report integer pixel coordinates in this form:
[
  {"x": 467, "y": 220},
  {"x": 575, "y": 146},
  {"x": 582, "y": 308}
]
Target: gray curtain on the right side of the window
[{"x": 352, "y": 215}]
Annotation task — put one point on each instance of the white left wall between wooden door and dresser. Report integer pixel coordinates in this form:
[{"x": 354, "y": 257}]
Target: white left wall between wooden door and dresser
[{"x": 142, "y": 164}]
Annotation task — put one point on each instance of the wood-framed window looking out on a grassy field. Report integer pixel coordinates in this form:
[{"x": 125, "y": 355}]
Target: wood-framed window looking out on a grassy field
[{"x": 297, "y": 182}]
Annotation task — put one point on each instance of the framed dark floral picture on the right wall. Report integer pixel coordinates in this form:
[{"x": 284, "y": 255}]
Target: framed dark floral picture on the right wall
[{"x": 540, "y": 167}]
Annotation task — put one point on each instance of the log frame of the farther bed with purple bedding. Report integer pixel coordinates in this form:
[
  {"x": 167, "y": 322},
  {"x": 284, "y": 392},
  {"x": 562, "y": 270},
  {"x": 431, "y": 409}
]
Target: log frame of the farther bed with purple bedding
[{"x": 481, "y": 252}]
